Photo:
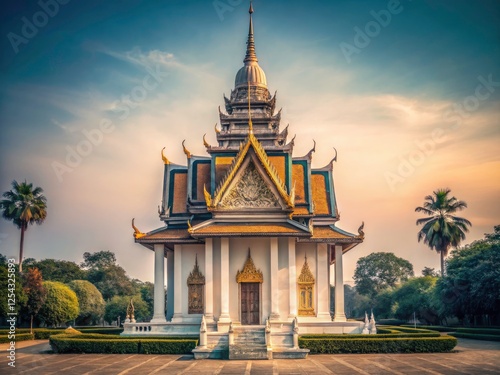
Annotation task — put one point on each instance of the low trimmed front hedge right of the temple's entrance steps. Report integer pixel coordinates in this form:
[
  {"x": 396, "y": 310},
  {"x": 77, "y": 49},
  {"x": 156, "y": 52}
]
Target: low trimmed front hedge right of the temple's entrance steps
[{"x": 379, "y": 345}]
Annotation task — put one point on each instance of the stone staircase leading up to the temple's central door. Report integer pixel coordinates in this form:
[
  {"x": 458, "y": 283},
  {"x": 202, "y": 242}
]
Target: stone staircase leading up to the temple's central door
[{"x": 249, "y": 343}]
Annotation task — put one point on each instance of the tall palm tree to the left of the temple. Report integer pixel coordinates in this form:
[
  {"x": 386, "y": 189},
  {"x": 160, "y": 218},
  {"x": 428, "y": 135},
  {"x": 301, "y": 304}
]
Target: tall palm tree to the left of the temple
[{"x": 24, "y": 205}]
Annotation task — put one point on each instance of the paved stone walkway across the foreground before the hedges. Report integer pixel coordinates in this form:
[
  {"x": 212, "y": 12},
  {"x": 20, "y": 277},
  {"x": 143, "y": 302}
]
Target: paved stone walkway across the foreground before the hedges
[{"x": 470, "y": 357}]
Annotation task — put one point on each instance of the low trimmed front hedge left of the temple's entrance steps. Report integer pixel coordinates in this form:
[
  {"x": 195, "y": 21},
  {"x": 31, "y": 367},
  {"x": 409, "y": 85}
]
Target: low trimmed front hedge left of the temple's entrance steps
[{"x": 95, "y": 343}]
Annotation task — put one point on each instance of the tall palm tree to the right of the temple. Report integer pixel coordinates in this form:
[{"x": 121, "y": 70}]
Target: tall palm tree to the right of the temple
[{"x": 441, "y": 230}]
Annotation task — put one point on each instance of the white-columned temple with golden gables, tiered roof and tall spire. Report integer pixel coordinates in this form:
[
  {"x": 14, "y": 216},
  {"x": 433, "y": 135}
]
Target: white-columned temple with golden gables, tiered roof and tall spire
[{"x": 250, "y": 234}]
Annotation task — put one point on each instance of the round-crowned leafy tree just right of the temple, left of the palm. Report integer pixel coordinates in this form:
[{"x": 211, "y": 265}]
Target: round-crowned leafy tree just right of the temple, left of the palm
[{"x": 379, "y": 271}]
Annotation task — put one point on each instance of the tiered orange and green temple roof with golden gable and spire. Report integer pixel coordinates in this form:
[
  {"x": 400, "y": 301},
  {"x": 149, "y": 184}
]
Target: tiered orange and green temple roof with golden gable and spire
[{"x": 249, "y": 184}]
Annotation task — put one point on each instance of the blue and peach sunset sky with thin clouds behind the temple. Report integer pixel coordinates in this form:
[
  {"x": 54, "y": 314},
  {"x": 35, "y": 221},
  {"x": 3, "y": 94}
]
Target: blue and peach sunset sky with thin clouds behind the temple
[{"x": 408, "y": 92}]
